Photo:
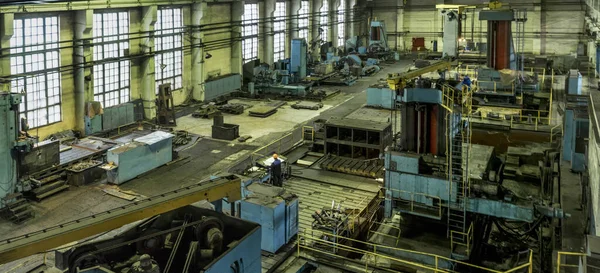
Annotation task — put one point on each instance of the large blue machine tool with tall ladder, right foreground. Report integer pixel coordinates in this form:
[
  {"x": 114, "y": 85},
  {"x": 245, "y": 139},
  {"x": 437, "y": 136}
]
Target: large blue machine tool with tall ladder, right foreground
[{"x": 434, "y": 171}]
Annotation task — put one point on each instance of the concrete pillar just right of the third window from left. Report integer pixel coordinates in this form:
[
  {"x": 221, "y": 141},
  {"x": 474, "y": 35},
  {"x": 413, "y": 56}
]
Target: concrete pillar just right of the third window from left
[{"x": 197, "y": 51}]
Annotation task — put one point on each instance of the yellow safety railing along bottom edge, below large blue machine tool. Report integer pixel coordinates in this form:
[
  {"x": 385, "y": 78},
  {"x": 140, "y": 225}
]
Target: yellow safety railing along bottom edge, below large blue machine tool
[{"x": 372, "y": 253}]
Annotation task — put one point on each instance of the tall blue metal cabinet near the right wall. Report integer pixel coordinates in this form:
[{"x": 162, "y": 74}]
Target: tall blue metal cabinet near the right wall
[{"x": 576, "y": 130}]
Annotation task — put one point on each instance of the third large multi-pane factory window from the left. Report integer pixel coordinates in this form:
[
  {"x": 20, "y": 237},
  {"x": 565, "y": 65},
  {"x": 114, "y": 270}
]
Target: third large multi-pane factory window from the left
[{"x": 168, "y": 62}]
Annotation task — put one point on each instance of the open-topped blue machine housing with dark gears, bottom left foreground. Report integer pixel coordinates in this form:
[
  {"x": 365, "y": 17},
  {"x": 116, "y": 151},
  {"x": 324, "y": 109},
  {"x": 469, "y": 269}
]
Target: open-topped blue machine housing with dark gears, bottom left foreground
[{"x": 217, "y": 244}]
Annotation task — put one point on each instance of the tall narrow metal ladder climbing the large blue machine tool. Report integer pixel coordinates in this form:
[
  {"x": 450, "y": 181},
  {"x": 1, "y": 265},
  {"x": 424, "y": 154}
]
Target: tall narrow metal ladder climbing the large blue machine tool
[{"x": 460, "y": 229}]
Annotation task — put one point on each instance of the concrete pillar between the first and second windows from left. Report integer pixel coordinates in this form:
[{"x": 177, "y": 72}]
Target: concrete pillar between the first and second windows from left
[{"x": 82, "y": 33}]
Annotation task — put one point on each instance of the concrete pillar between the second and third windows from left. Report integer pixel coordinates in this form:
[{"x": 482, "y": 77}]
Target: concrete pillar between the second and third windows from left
[{"x": 148, "y": 80}]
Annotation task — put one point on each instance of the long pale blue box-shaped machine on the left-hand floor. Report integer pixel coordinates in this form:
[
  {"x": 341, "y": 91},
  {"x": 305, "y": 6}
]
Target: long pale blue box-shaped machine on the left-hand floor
[{"x": 139, "y": 156}]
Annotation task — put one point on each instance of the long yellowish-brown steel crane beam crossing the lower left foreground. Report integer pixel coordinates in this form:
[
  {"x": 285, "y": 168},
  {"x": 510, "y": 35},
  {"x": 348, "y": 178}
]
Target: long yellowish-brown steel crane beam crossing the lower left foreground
[{"x": 52, "y": 237}]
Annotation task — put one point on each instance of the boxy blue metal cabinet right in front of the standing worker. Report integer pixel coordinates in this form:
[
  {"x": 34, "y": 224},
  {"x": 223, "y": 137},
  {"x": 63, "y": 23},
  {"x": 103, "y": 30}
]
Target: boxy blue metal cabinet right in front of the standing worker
[{"x": 276, "y": 211}]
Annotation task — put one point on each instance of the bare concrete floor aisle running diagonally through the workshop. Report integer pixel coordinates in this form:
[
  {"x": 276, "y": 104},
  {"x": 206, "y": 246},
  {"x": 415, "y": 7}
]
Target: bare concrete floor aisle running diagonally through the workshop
[{"x": 205, "y": 158}]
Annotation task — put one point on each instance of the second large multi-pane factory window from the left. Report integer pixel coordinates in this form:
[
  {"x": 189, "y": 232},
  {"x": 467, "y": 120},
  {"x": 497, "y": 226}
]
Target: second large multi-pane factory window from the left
[{"x": 111, "y": 69}]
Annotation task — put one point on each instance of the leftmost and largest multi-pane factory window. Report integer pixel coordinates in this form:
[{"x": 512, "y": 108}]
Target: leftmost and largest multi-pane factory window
[{"x": 35, "y": 61}]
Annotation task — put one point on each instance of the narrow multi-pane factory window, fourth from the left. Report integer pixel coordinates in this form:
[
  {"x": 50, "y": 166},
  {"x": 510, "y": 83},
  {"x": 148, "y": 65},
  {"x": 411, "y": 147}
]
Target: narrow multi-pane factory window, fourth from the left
[{"x": 250, "y": 33}]
